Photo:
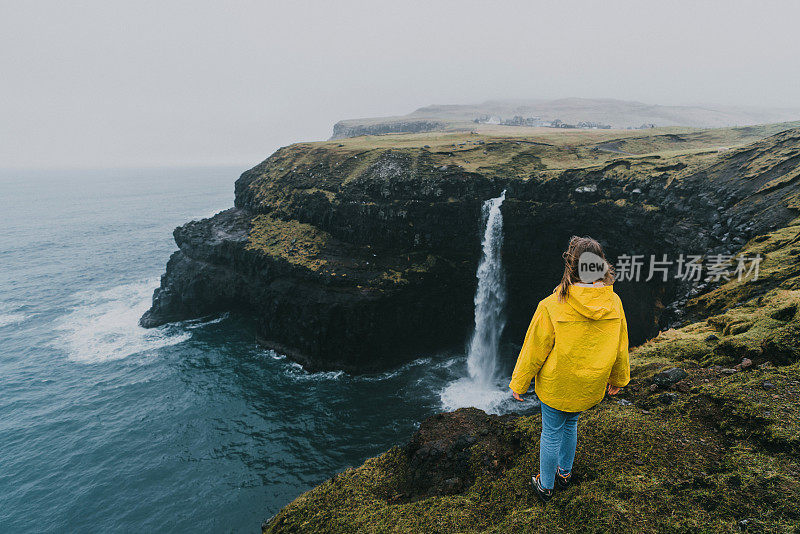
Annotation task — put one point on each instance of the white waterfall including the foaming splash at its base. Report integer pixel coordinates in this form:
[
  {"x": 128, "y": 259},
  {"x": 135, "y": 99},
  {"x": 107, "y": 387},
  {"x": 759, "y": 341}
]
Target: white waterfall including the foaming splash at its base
[{"x": 482, "y": 387}]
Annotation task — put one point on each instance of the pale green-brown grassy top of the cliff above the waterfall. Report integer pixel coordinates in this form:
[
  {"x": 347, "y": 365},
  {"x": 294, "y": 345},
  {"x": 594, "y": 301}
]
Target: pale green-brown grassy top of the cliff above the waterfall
[{"x": 326, "y": 168}]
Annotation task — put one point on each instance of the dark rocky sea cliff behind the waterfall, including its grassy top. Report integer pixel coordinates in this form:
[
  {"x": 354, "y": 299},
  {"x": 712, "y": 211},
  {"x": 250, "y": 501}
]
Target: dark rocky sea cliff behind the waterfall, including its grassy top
[{"x": 358, "y": 257}]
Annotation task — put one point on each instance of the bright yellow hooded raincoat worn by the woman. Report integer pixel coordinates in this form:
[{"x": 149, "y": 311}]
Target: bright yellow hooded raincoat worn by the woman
[{"x": 574, "y": 349}]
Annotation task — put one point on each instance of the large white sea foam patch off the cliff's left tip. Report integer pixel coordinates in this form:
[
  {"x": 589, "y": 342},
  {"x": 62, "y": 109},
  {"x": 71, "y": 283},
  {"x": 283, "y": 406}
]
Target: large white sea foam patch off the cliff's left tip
[{"x": 104, "y": 325}]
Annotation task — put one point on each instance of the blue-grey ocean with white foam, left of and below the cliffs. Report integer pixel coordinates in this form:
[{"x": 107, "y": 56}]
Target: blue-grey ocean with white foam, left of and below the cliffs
[{"x": 108, "y": 427}]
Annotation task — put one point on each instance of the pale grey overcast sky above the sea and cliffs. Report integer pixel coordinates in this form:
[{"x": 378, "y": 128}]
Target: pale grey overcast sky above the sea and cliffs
[{"x": 139, "y": 83}]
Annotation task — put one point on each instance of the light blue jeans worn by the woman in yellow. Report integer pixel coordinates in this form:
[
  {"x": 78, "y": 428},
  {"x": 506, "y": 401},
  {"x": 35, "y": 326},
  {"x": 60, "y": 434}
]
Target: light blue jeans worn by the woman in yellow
[{"x": 557, "y": 444}]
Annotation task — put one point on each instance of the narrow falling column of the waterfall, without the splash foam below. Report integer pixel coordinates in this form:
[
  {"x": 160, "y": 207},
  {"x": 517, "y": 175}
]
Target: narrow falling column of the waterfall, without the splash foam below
[{"x": 490, "y": 297}]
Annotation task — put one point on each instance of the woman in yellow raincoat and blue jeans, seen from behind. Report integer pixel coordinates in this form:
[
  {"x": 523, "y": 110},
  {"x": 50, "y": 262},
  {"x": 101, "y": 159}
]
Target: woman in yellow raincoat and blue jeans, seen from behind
[{"x": 577, "y": 343}]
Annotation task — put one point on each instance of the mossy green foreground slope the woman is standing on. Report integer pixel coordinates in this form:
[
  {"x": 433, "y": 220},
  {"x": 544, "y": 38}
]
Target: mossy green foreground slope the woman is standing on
[{"x": 716, "y": 452}]
